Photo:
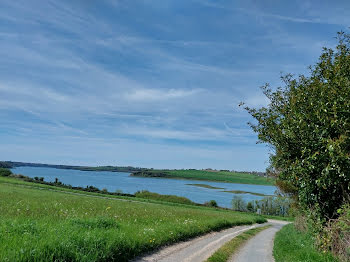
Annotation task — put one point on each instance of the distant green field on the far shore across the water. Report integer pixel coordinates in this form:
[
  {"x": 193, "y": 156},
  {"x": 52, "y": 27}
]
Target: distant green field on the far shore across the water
[{"x": 220, "y": 176}]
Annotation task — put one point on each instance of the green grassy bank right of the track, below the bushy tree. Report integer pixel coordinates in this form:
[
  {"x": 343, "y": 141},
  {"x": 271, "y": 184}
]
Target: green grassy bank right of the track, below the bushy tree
[{"x": 293, "y": 246}]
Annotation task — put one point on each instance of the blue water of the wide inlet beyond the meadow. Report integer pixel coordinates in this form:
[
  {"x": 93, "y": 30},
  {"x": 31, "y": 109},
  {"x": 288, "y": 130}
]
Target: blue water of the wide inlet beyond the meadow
[{"x": 113, "y": 181}]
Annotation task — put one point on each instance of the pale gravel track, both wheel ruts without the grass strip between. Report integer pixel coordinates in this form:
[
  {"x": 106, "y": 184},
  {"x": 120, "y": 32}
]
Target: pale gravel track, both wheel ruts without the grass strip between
[{"x": 199, "y": 249}]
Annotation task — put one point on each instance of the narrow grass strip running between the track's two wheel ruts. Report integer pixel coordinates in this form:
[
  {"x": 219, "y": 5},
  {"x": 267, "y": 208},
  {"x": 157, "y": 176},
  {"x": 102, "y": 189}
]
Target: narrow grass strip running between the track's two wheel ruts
[{"x": 227, "y": 250}]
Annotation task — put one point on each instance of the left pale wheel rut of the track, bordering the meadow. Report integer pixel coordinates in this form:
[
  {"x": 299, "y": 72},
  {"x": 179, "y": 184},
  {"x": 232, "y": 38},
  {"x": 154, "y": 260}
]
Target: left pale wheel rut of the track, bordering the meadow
[{"x": 195, "y": 250}]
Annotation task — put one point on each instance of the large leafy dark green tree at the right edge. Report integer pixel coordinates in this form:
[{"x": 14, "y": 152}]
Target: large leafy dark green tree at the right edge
[{"x": 307, "y": 123}]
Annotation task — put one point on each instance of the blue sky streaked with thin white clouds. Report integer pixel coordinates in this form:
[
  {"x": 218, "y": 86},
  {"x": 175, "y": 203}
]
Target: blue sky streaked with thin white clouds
[{"x": 151, "y": 83}]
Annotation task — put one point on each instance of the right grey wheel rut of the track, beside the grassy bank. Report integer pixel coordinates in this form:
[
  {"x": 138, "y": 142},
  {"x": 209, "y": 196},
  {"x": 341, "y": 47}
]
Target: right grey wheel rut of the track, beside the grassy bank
[{"x": 260, "y": 247}]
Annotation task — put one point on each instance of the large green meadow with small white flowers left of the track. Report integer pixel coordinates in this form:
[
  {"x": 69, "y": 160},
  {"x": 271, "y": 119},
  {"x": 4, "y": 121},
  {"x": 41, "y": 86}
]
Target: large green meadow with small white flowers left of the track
[{"x": 37, "y": 224}]
